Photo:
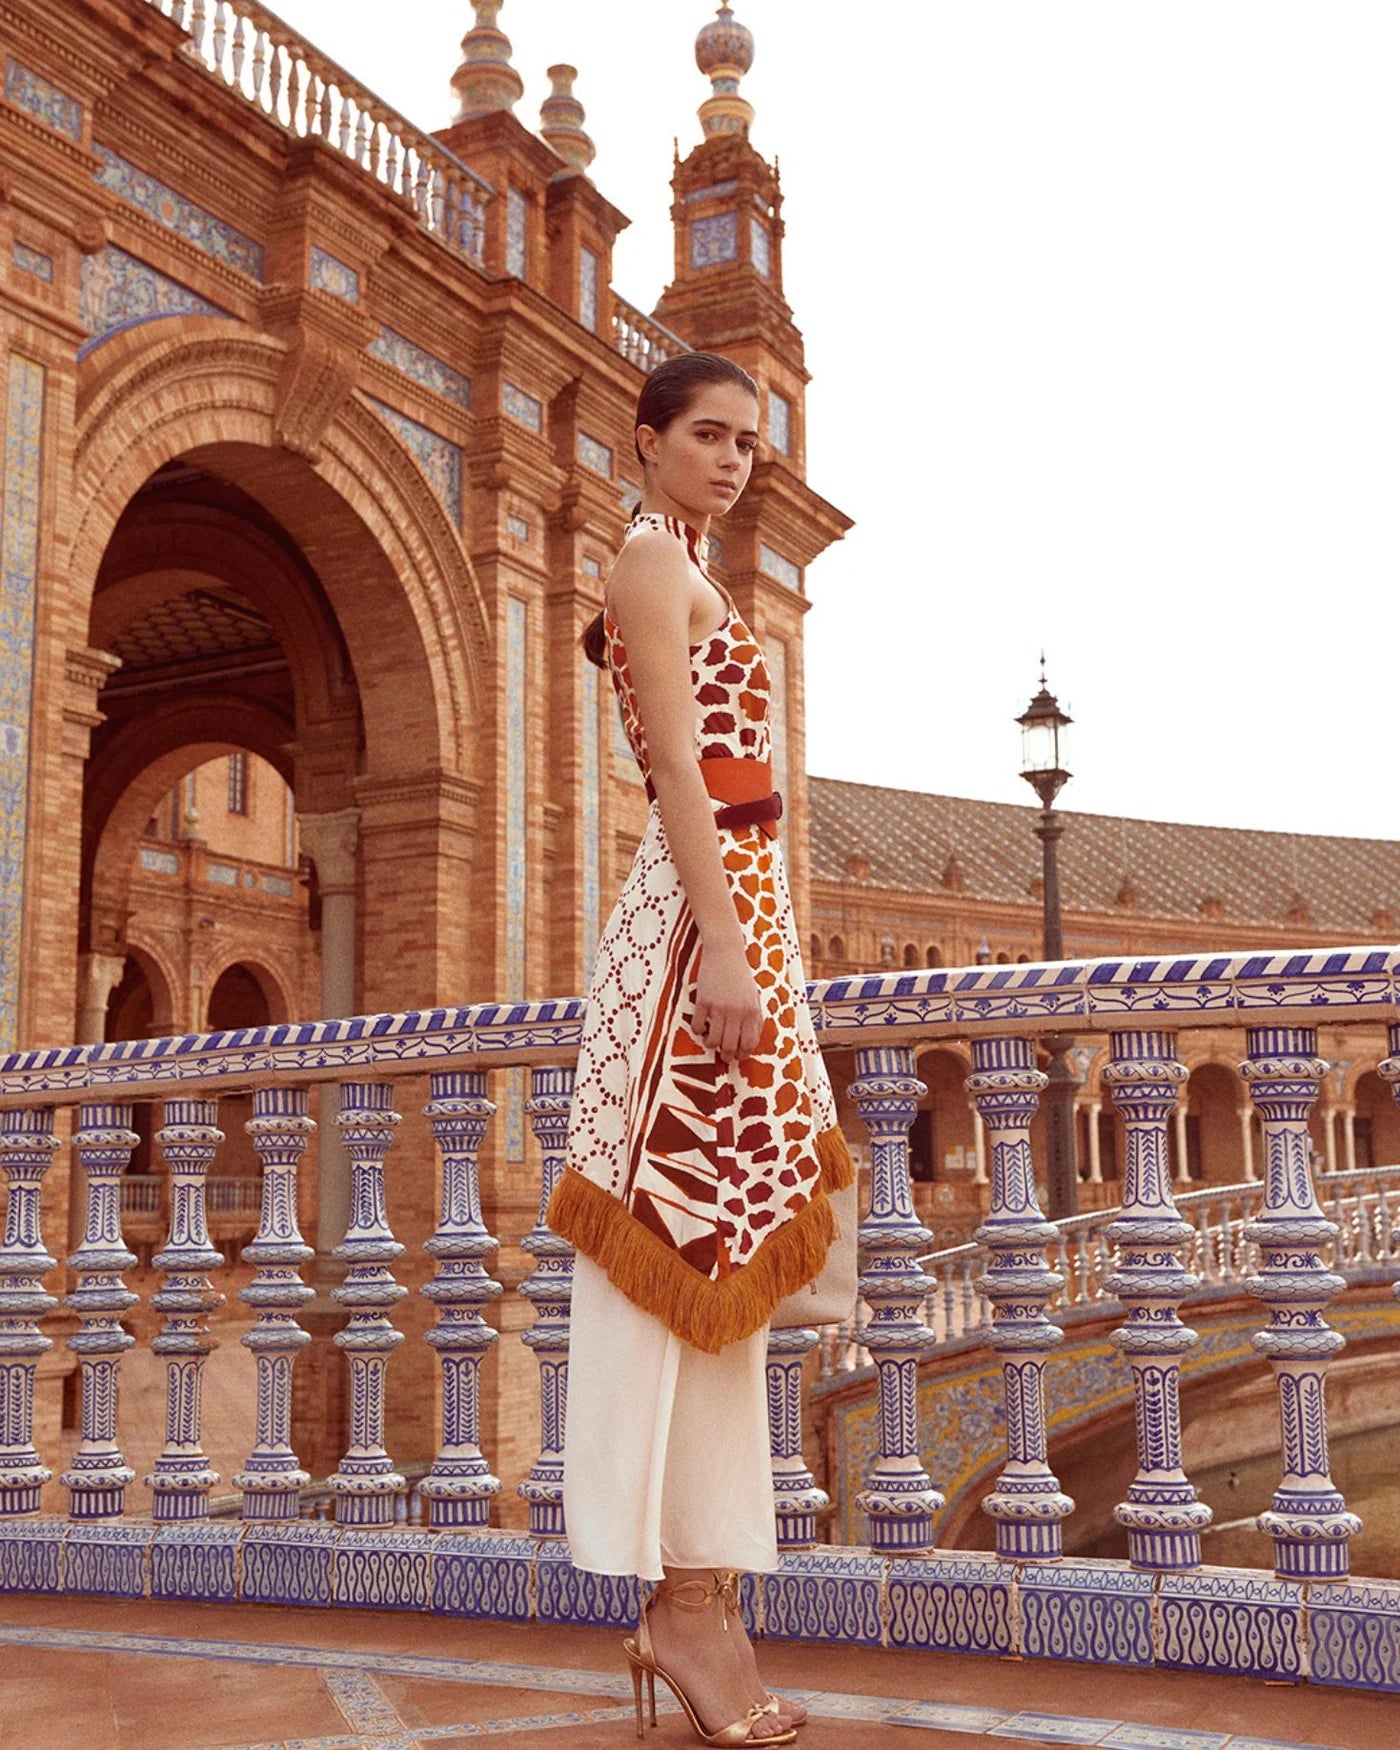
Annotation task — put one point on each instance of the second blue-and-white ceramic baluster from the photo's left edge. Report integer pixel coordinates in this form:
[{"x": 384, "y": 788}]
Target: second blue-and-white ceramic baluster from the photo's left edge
[{"x": 99, "y": 1476}]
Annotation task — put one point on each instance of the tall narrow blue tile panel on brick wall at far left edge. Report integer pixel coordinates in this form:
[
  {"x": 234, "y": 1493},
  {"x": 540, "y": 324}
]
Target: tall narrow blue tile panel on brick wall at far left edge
[{"x": 25, "y": 386}]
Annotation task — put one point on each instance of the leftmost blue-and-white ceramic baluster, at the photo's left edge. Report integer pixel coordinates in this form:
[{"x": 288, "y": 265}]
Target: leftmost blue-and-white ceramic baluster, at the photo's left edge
[{"x": 27, "y": 1149}]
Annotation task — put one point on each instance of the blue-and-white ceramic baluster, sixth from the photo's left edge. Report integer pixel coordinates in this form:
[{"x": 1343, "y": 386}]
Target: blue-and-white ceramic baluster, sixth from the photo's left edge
[{"x": 461, "y": 1485}]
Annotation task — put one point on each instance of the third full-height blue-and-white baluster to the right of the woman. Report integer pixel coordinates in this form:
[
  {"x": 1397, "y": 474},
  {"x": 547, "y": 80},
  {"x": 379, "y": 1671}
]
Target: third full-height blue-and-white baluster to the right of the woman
[{"x": 1163, "y": 1515}]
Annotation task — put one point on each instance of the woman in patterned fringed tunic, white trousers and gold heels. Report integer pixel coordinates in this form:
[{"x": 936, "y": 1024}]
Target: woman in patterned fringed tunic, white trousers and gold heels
[{"x": 703, "y": 1138}]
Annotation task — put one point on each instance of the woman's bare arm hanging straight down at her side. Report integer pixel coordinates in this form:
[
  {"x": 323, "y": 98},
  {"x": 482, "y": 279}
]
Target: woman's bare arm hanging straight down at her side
[{"x": 650, "y": 599}]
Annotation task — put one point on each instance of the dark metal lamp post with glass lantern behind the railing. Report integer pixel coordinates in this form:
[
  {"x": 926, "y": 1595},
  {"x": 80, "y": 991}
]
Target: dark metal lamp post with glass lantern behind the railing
[{"x": 1044, "y": 767}]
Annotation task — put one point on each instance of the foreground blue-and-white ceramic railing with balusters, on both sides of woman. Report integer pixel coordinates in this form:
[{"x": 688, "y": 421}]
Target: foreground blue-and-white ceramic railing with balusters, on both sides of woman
[{"x": 1306, "y": 1620}]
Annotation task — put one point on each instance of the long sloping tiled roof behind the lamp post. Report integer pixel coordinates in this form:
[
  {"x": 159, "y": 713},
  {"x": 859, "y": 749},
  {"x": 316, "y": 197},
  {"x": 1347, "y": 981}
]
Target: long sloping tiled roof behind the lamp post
[{"x": 928, "y": 844}]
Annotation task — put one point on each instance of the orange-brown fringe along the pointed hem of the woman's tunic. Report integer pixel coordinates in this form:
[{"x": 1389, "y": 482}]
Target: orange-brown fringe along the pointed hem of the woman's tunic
[{"x": 655, "y": 1278}]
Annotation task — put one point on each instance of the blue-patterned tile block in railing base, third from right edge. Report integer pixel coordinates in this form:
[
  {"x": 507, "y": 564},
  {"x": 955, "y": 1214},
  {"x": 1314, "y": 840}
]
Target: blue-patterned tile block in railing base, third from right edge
[{"x": 1095, "y": 1613}]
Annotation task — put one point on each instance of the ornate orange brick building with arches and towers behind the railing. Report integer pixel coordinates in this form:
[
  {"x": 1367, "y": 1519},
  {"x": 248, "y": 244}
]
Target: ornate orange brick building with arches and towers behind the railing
[{"x": 316, "y": 445}]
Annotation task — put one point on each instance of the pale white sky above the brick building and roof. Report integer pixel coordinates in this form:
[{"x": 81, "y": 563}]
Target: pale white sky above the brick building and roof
[{"x": 1102, "y": 304}]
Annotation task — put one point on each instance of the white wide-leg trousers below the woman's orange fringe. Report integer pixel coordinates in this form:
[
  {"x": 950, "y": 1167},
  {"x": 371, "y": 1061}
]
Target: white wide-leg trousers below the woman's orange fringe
[{"x": 666, "y": 1448}]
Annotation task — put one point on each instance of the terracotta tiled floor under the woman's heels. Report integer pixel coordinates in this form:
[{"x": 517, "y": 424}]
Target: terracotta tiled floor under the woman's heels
[{"x": 104, "y": 1676}]
